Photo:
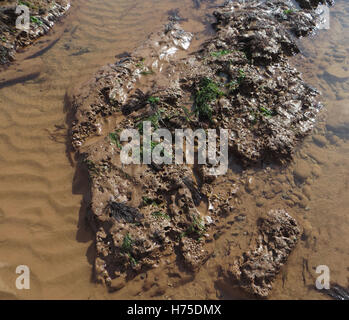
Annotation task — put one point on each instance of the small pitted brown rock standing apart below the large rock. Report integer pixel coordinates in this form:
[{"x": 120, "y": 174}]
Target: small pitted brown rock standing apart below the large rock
[{"x": 256, "y": 270}]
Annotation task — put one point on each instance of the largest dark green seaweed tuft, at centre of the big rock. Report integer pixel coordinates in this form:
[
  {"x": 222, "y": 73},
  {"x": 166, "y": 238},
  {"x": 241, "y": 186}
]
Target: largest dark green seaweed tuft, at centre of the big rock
[{"x": 208, "y": 91}]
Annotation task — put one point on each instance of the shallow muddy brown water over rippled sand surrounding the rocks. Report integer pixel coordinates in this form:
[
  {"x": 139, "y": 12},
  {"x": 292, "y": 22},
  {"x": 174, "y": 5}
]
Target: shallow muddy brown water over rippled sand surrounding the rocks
[{"x": 41, "y": 216}]
